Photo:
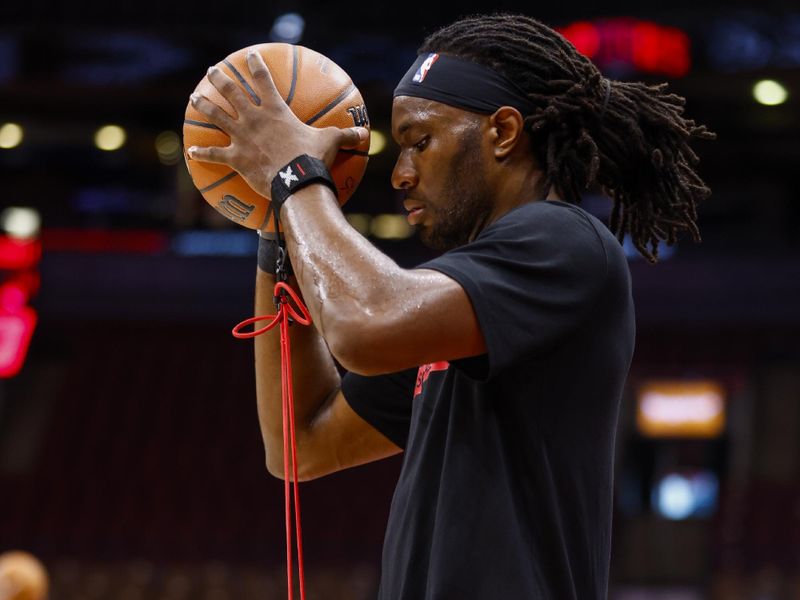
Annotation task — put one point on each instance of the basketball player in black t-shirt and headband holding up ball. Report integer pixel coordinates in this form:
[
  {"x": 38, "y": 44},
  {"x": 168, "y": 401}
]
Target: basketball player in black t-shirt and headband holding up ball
[{"x": 497, "y": 367}]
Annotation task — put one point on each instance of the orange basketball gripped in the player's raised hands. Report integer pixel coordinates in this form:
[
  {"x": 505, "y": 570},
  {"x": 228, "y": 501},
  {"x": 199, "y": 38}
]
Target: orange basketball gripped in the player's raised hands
[{"x": 317, "y": 90}]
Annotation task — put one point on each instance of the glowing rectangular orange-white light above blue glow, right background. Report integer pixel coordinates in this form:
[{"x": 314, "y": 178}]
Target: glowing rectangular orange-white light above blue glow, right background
[{"x": 681, "y": 409}]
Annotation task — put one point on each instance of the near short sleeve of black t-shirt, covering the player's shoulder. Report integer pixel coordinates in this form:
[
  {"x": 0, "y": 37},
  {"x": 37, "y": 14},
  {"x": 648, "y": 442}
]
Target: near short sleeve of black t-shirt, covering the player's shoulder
[{"x": 531, "y": 276}]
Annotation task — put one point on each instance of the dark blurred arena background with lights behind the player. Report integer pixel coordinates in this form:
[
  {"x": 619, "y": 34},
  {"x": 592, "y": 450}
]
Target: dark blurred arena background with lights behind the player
[{"x": 130, "y": 456}]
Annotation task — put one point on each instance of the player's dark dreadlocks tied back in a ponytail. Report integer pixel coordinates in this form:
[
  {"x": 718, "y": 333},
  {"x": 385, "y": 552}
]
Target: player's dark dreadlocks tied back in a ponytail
[{"x": 627, "y": 138}]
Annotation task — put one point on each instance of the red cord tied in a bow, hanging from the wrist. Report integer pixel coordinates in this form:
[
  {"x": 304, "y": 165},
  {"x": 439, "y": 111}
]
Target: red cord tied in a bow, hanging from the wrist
[{"x": 285, "y": 314}]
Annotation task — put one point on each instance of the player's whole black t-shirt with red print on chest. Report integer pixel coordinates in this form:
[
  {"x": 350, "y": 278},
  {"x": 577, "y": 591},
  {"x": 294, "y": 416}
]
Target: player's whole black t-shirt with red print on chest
[{"x": 507, "y": 478}]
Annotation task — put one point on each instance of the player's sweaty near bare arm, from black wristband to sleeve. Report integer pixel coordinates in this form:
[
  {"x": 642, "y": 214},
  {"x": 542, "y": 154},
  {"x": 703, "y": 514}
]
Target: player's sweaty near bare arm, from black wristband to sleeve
[{"x": 375, "y": 316}]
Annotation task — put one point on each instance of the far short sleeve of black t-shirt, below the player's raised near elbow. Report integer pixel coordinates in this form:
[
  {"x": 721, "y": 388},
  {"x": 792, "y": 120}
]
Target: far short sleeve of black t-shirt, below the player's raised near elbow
[{"x": 383, "y": 401}]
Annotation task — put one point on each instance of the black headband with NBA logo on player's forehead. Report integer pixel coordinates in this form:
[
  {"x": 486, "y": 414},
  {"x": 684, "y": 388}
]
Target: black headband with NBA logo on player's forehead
[{"x": 462, "y": 84}]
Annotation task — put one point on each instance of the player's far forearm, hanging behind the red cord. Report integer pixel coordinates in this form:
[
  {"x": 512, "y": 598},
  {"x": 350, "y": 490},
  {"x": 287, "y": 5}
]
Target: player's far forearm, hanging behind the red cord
[{"x": 315, "y": 376}]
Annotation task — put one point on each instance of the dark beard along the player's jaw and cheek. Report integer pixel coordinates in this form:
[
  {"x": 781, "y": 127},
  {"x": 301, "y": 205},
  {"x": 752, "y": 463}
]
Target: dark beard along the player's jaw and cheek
[{"x": 466, "y": 205}]
